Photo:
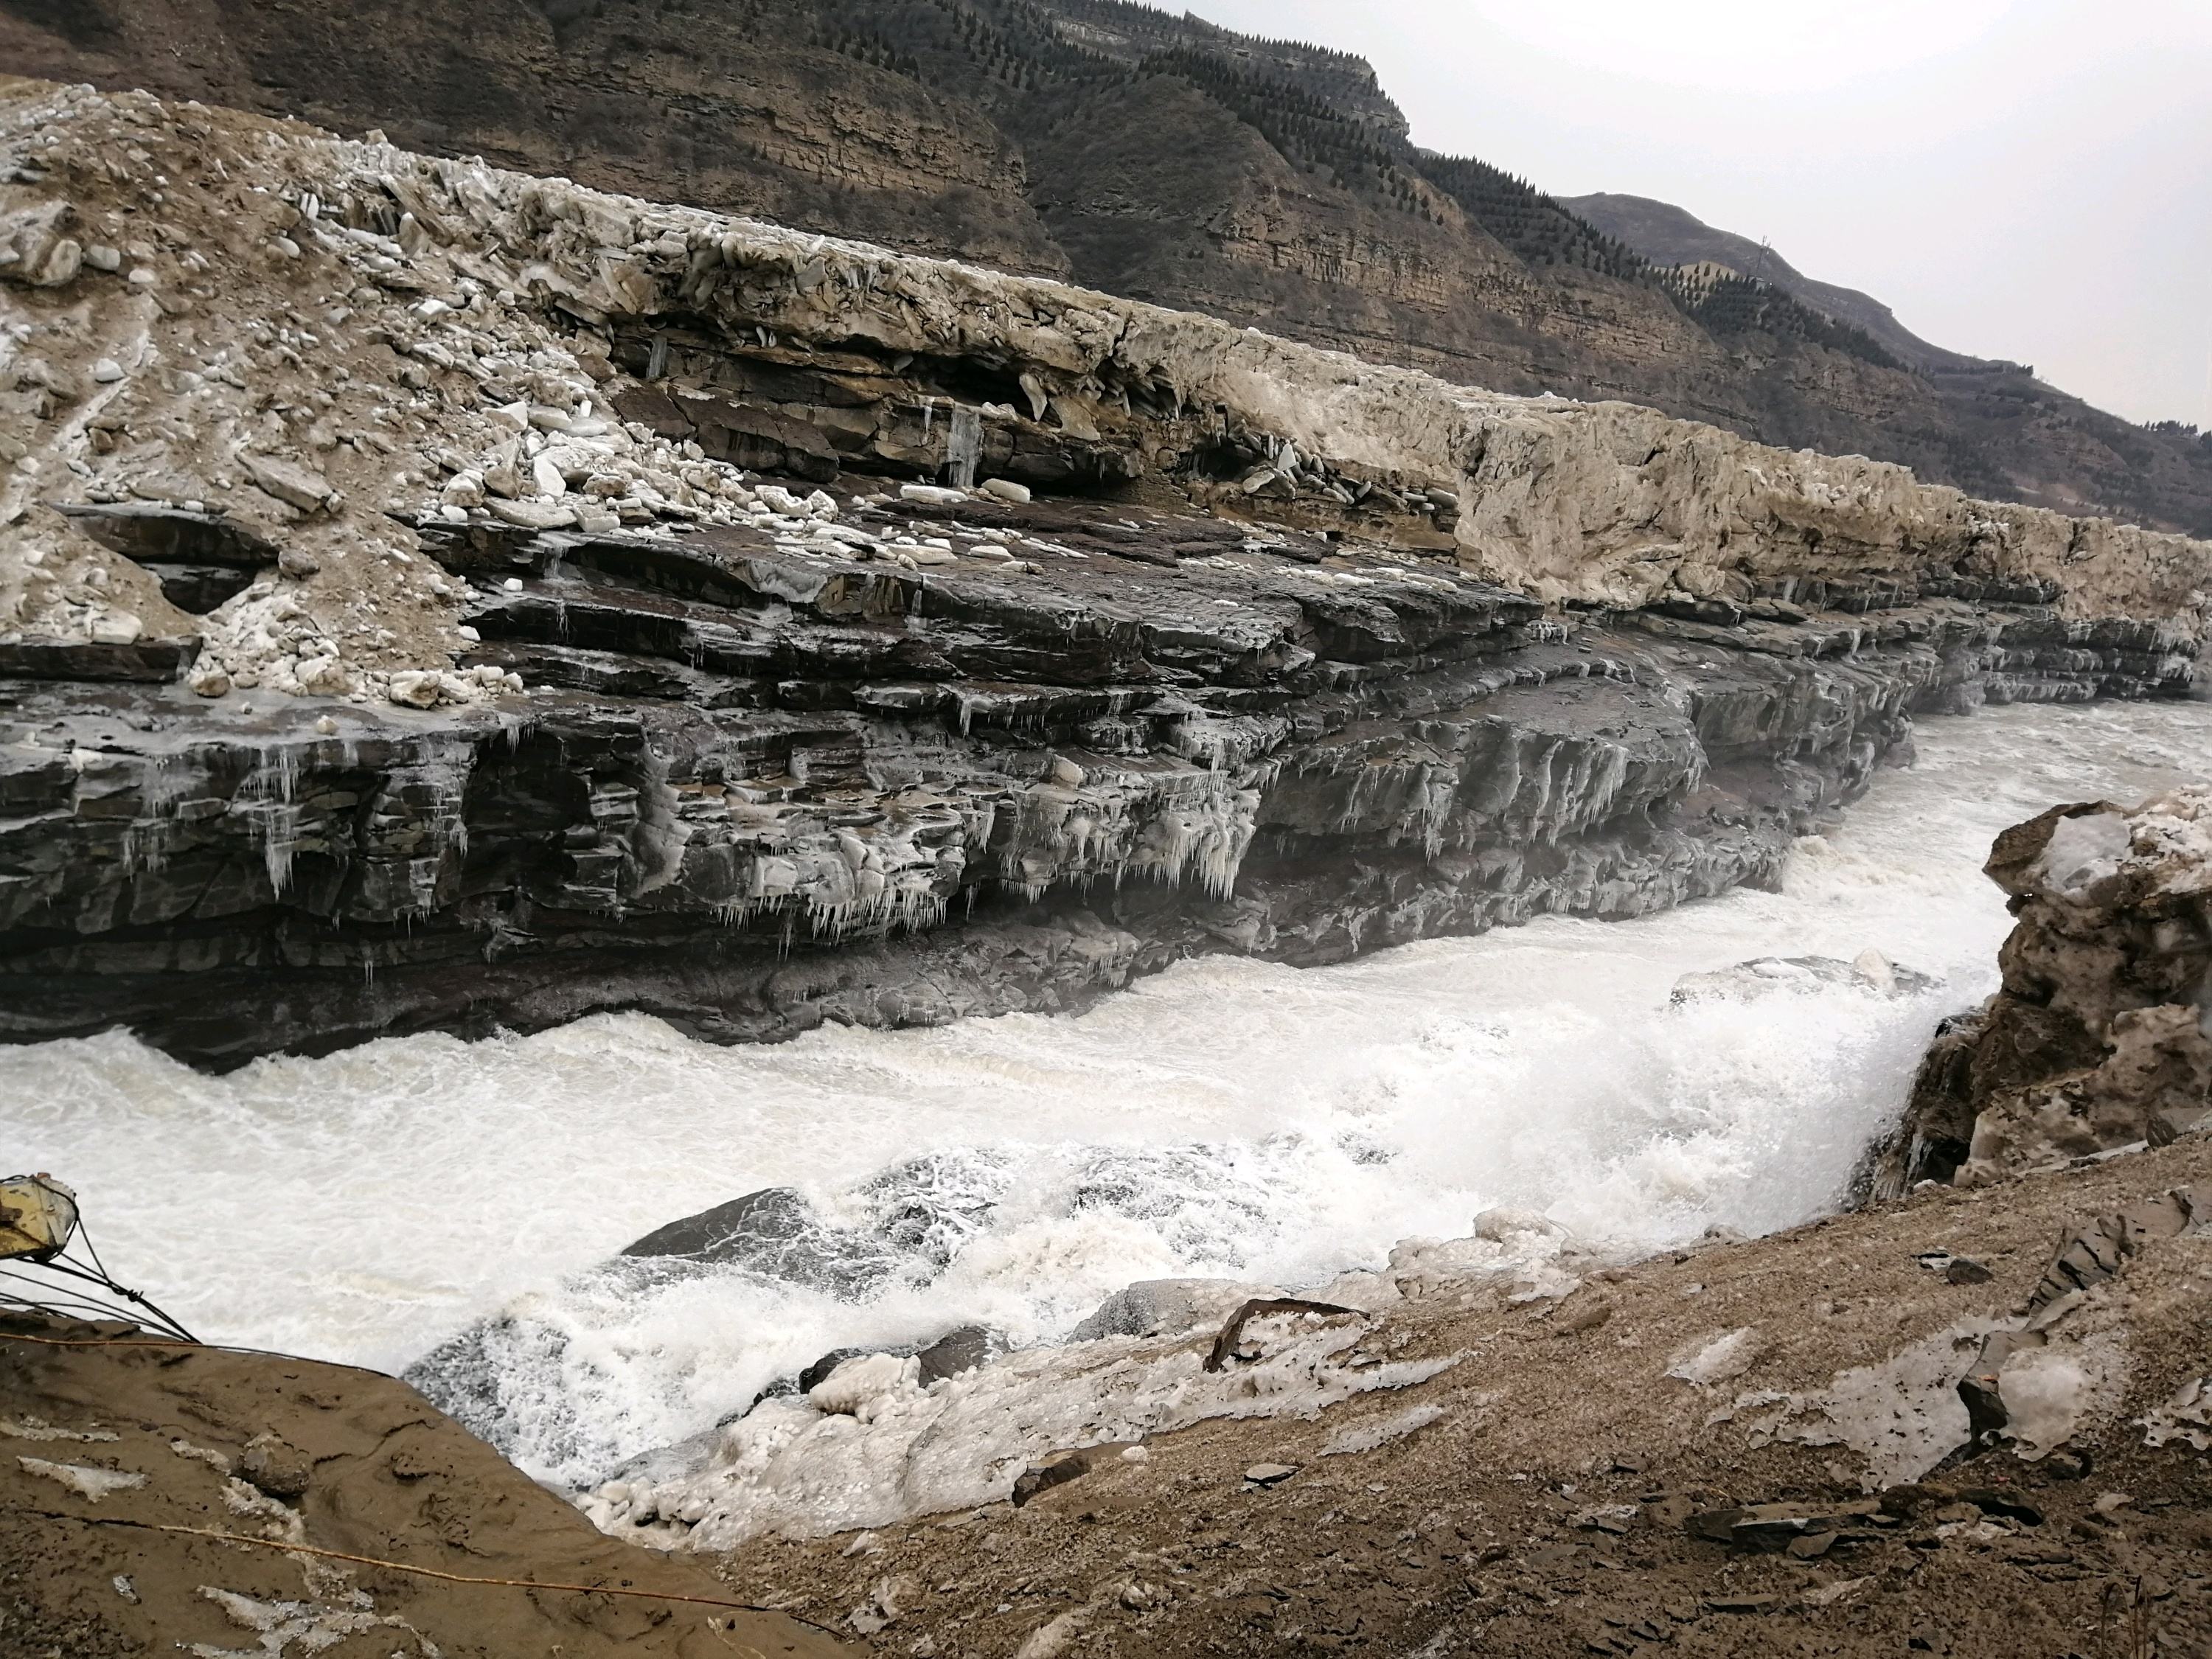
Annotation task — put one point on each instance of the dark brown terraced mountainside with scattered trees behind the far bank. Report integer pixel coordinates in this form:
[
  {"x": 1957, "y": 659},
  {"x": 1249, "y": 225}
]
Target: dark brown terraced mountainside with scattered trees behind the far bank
[{"x": 1142, "y": 154}]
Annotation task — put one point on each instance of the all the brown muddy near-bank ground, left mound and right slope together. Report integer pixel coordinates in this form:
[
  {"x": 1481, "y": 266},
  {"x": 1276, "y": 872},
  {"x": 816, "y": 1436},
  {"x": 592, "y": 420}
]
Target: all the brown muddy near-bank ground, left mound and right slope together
[{"x": 1545, "y": 1505}]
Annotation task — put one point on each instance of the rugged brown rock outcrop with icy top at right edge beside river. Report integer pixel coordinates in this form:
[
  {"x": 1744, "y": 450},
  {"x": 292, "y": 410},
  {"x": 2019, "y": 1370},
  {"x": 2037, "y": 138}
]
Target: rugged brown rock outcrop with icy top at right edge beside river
[{"x": 2103, "y": 1034}]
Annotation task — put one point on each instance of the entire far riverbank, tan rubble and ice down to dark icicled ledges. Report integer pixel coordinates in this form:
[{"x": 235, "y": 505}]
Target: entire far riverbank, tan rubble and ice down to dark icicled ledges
[{"x": 401, "y": 632}]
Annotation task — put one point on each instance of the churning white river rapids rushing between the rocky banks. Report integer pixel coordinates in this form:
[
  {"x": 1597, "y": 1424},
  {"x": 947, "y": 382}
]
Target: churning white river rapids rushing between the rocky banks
[{"x": 1224, "y": 1120}]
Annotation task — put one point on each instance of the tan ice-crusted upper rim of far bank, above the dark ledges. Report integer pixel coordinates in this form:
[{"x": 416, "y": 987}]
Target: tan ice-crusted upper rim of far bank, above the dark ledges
[{"x": 1598, "y": 503}]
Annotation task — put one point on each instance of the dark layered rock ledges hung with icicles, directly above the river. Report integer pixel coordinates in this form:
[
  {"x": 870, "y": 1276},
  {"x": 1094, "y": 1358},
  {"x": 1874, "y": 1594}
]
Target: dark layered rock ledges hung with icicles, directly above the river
[{"x": 780, "y": 791}]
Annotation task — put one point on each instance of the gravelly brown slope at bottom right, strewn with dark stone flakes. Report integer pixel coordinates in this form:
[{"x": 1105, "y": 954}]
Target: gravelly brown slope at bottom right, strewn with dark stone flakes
[{"x": 1545, "y": 1512}]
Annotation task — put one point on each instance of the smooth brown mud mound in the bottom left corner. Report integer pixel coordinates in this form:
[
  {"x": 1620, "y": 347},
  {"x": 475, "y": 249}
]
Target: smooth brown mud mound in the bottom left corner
[{"x": 103, "y": 1446}]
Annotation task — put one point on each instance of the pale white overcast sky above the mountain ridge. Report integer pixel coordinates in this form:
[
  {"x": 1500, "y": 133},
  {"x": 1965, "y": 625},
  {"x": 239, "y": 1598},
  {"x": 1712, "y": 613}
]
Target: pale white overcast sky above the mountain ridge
[{"x": 2014, "y": 178}]
